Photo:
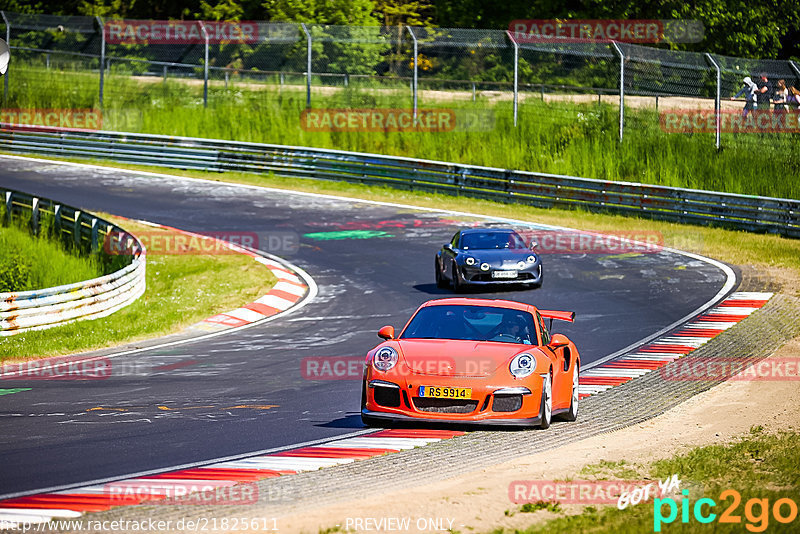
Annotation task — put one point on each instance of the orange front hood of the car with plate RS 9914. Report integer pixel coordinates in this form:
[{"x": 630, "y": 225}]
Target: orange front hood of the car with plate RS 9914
[{"x": 446, "y": 357}]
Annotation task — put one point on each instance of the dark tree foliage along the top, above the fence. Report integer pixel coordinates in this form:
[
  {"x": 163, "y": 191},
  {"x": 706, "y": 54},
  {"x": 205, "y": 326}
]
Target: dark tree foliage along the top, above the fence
[{"x": 764, "y": 29}]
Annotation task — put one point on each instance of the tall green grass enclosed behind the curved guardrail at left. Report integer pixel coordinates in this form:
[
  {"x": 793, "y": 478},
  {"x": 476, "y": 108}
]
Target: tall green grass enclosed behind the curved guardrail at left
[{"x": 28, "y": 262}]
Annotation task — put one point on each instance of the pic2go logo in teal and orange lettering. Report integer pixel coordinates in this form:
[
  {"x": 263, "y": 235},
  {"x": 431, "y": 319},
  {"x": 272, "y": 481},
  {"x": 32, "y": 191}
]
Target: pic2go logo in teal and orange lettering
[{"x": 756, "y": 511}]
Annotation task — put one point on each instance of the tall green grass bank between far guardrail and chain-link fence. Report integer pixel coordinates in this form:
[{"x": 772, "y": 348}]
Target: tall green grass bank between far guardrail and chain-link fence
[{"x": 555, "y": 137}]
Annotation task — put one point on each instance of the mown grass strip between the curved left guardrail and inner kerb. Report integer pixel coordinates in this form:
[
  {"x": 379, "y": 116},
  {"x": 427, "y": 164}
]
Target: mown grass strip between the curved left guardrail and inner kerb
[{"x": 181, "y": 290}]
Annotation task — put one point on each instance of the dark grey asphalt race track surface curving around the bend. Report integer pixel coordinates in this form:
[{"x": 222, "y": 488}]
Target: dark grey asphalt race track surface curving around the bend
[{"x": 373, "y": 265}]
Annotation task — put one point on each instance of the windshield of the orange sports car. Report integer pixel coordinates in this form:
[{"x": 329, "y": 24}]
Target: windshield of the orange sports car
[{"x": 472, "y": 323}]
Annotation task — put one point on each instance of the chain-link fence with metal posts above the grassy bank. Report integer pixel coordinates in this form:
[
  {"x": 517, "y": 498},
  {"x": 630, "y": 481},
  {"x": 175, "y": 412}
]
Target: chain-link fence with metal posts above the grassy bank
[{"x": 125, "y": 65}]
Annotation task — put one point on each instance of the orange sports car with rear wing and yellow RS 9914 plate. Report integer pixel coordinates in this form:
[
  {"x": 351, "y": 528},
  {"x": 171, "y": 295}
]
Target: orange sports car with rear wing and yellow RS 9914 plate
[{"x": 472, "y": 361}]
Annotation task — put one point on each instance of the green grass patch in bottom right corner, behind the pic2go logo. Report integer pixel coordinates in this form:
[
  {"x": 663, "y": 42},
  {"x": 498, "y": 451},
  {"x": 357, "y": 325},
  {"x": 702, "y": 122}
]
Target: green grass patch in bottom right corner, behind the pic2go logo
[{"x": 758, "y": 466}]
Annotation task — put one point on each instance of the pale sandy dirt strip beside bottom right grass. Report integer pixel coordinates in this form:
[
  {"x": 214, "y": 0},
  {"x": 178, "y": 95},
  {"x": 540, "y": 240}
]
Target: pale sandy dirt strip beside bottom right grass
[{"x": 479, "y": 501}]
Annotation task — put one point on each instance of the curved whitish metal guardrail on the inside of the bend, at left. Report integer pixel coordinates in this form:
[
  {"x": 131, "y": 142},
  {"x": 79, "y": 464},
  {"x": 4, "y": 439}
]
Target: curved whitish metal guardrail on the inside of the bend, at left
[{"x": 92, "y": 299}]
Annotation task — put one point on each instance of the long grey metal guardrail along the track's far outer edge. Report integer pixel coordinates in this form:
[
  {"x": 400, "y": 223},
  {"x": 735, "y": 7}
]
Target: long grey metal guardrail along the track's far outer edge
[{"x": 751, "y": 213}]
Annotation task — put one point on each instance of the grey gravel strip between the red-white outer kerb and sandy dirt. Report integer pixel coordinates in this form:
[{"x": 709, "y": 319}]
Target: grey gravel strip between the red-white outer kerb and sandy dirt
[{"x": 752, "y": 340}]
